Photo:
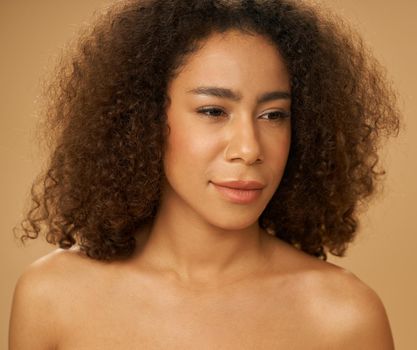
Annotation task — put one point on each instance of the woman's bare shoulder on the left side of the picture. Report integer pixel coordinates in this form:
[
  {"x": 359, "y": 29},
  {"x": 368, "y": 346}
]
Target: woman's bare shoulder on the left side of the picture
[{"x": 40, "y": 294}]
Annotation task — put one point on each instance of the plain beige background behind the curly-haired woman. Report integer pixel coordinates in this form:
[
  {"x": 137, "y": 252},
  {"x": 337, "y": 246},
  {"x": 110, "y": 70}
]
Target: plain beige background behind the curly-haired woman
[{"x": 31, "y": 35}]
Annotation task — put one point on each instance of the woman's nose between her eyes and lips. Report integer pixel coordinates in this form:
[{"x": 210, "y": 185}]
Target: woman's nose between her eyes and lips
[{"x": 243, "y": 142}]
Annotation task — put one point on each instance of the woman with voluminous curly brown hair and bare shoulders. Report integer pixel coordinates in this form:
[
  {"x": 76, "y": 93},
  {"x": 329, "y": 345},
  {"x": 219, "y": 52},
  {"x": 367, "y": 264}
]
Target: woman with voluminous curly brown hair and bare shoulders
[{"x": 206, "y": 155}]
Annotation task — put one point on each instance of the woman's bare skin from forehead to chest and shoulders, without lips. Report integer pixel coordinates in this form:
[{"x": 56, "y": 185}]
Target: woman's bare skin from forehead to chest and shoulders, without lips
[{"x": 204, "y": 274}]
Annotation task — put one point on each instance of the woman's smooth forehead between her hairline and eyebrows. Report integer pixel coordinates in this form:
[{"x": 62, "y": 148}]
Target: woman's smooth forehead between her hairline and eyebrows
[{"x": 234, "y": 58}]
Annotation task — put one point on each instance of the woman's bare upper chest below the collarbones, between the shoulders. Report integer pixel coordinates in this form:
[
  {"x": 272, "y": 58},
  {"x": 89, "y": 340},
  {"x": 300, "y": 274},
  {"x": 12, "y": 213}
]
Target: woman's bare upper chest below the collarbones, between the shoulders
[{"x": 161, "y": 320}]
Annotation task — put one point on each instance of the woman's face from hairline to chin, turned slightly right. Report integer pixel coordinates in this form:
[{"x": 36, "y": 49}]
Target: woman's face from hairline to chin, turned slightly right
[{"x": 241, "y": 132}]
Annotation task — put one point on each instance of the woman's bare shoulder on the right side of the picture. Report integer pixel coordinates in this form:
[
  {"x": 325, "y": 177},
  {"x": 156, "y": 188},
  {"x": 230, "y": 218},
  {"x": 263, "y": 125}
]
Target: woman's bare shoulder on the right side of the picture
[{"x": 344, "y": 309}]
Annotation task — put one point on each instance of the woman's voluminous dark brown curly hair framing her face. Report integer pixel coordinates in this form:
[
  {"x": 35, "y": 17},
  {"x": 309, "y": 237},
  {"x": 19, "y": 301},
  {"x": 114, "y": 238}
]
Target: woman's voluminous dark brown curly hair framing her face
[{"x": 105, "y": 123}]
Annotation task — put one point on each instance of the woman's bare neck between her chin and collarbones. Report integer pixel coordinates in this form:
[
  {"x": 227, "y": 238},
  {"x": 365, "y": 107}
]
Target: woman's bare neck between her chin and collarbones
[{"x": 192, "y": 251}]
